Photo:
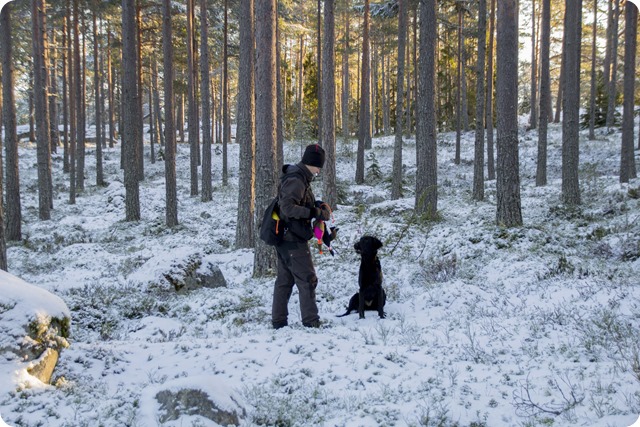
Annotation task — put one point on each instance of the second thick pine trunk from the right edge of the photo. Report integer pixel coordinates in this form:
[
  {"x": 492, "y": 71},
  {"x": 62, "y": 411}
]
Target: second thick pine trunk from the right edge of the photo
[{"x": 571, "y": 103}]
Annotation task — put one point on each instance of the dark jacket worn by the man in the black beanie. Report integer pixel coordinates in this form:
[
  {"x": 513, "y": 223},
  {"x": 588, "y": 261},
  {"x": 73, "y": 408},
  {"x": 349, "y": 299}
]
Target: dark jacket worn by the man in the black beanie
[{"x": 296, "y": 202}]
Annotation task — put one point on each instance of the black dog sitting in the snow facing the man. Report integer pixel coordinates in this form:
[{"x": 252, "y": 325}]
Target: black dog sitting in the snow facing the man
[{"x": 371, "y": 296}]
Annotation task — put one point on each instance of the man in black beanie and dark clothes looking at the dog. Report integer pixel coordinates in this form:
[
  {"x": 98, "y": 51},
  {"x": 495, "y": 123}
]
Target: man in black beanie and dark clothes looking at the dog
[{"x": 295, "y": 266}]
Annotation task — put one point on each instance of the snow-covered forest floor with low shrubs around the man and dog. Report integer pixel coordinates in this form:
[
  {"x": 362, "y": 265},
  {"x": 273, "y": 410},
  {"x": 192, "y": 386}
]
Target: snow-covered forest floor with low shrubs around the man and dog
[{"x": 530, "y": 326}]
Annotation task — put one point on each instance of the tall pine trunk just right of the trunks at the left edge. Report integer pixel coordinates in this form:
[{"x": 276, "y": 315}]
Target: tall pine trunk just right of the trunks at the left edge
[{"x": 41, "y": 108}]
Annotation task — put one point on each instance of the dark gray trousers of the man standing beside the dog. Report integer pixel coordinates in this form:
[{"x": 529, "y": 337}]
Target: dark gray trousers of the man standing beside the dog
[{"x": 295, "y": 266}]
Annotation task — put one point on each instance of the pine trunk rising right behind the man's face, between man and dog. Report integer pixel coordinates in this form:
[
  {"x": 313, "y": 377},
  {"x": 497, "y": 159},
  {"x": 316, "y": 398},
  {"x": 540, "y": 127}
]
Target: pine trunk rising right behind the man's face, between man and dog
[{"x": 330, "y": 193}]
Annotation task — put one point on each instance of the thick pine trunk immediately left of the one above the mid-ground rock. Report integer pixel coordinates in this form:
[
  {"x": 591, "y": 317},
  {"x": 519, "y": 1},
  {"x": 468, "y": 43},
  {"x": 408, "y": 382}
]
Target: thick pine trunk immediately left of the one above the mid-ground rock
[{"x": 130, "y": 102}]
